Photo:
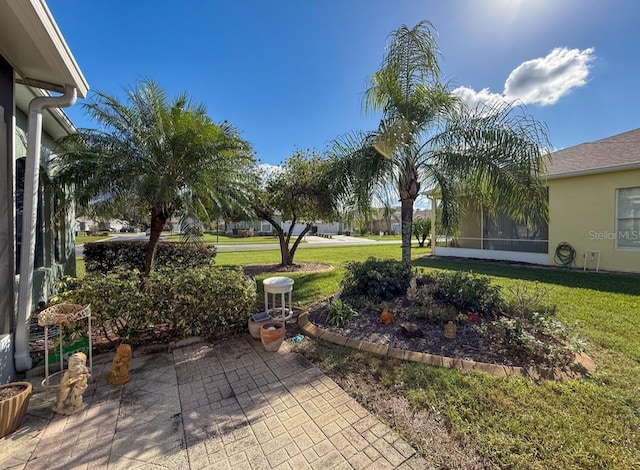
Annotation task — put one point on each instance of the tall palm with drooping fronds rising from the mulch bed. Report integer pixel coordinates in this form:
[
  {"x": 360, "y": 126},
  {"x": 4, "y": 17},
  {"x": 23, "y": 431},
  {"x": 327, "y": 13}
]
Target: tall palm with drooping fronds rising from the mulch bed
[{"x": 427, "y": 136}]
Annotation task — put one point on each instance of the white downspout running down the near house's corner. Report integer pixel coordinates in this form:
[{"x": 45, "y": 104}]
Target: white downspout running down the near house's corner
[{"x": 29, "y": 216}]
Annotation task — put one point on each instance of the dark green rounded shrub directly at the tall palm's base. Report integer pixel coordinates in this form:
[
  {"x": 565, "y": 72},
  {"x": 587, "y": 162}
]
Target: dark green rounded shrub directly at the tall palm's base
[{"x": 378, "y": 279}]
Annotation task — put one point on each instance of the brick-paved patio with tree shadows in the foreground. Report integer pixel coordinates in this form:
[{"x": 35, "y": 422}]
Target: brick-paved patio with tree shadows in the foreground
[{"x": 228, "y": 405}]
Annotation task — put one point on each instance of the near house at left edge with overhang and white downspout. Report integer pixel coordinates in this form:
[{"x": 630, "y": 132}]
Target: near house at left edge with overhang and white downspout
[{"x": 34, "y": 59}]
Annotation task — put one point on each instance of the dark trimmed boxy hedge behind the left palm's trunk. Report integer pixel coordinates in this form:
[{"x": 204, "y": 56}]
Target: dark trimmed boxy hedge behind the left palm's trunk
[{"x": 108, "y": 256}]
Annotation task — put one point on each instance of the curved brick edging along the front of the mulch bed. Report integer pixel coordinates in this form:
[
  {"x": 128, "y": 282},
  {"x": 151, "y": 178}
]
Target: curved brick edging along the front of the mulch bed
[{"x": 582, "y": 365}]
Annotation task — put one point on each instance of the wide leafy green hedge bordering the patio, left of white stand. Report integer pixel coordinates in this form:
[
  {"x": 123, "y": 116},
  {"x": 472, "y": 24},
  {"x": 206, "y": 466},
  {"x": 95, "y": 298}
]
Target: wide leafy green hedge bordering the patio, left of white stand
[{"x": 204, "y": 301}]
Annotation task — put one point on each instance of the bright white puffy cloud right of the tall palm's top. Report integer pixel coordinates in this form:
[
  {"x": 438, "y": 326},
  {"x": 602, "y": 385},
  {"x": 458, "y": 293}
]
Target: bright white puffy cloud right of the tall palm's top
[{"x": 540, "y": 81}]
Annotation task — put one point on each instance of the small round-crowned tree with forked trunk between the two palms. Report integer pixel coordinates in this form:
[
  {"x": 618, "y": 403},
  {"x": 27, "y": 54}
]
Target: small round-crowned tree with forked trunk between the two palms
[{"x": 300, "y": 193}]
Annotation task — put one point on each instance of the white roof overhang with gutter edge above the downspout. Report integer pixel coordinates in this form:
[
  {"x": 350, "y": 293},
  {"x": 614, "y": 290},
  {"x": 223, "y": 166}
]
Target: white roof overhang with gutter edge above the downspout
[{"x": 32, "y": 43}]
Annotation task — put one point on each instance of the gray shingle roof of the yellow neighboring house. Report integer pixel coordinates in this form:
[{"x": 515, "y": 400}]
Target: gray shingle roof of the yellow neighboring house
[{"x": 622, "y": 150}]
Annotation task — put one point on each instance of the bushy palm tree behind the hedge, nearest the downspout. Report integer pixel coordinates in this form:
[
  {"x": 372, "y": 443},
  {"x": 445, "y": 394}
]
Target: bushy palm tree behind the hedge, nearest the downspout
[{"x": 165, "y": 156}]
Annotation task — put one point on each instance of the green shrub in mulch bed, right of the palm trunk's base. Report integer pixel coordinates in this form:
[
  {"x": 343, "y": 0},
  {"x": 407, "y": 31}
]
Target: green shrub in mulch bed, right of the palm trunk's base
[{"x": 468, "y": 293}]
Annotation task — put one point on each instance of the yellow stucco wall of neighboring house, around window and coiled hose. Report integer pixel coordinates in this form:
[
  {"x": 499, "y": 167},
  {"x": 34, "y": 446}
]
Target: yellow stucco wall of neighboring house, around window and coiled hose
[{"x": 582, "y": 212}]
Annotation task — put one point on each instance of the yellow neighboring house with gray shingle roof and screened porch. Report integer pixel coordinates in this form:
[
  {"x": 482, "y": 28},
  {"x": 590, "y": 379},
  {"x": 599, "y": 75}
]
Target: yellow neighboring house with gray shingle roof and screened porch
[{"x": 594, "y": 207}]
